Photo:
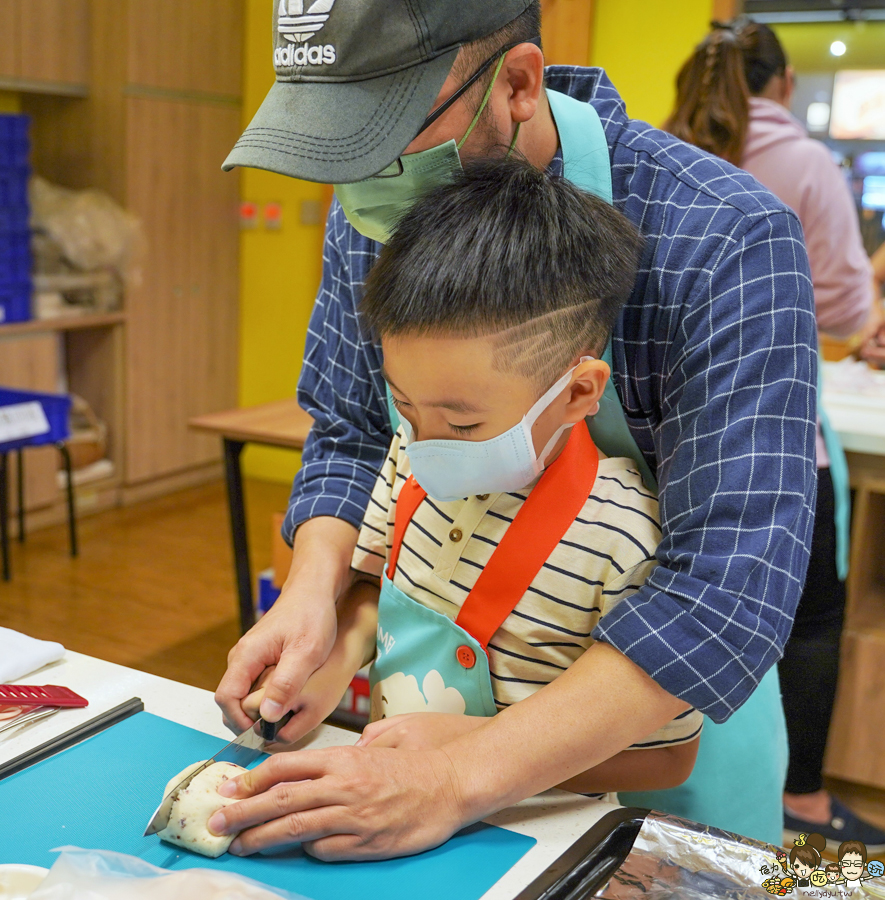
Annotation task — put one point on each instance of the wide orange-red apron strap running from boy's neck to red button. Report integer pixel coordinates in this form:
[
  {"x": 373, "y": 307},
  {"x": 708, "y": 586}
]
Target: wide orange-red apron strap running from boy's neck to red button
[{"x": 553, "y": 504}]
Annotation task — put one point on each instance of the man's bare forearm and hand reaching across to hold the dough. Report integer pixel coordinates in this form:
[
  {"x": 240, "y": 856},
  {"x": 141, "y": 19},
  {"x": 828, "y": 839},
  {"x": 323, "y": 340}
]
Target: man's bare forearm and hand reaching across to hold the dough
[{"x": 368, "y": 803}]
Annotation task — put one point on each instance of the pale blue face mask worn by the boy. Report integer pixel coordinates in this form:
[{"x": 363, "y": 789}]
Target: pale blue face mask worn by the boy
[{"x": 451, "y": 470}]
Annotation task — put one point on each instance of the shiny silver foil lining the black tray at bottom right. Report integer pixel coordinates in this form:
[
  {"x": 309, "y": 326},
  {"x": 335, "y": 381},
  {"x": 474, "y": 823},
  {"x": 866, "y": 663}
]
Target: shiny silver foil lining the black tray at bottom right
[{"x": 676, "y": 859}]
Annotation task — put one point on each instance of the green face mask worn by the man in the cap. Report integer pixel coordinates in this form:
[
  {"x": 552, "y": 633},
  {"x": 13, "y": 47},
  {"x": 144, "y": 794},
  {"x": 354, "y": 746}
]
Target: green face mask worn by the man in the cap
[{"x": 375, "y": 205}]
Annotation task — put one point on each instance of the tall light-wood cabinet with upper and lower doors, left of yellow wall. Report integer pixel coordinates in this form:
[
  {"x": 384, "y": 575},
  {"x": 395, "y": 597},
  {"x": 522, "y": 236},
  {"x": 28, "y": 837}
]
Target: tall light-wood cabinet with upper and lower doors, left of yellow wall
[{"x": 161, "y": 115}]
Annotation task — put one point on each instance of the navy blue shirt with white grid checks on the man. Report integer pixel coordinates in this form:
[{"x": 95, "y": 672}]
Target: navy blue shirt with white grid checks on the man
[{"x": 715, "y": 363}]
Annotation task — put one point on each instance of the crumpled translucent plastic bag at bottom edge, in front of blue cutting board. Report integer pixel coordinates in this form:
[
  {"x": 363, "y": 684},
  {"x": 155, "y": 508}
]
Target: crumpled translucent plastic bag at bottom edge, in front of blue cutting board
[{"x": 102, "y": 875}]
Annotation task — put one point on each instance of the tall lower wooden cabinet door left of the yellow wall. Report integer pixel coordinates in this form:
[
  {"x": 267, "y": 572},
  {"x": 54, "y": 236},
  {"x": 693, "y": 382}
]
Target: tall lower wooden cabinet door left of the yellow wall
[{"x": 181, "y": 358}]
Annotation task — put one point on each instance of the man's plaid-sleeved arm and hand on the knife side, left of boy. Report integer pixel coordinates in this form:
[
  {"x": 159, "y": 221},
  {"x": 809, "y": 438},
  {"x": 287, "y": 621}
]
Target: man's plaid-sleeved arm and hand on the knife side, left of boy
[{"x": 341, "y": 387}]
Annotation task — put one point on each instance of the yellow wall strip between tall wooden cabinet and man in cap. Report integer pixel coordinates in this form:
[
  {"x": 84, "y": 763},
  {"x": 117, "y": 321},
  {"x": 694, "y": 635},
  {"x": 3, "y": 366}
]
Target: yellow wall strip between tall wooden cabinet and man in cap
[{"x": 279, "y": 270}]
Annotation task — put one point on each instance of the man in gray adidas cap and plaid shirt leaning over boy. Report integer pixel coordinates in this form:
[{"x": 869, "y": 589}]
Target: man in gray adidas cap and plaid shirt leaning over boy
[{"x": 712, "y": 394}]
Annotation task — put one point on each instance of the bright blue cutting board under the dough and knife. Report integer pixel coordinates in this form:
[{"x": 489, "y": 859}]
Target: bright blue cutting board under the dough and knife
[{"x": 100, "y": 794}]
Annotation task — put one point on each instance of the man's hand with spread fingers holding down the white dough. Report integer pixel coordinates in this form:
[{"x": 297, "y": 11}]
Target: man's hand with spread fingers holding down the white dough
[{"x": 344, "y": 803}]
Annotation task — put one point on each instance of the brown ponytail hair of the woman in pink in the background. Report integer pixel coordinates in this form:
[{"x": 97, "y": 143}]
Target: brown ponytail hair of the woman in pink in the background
[{"x": 713, "y": 89}]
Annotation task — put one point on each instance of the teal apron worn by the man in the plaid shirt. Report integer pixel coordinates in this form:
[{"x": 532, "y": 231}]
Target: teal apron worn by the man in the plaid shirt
[{"x": 739, "y": 776}]
